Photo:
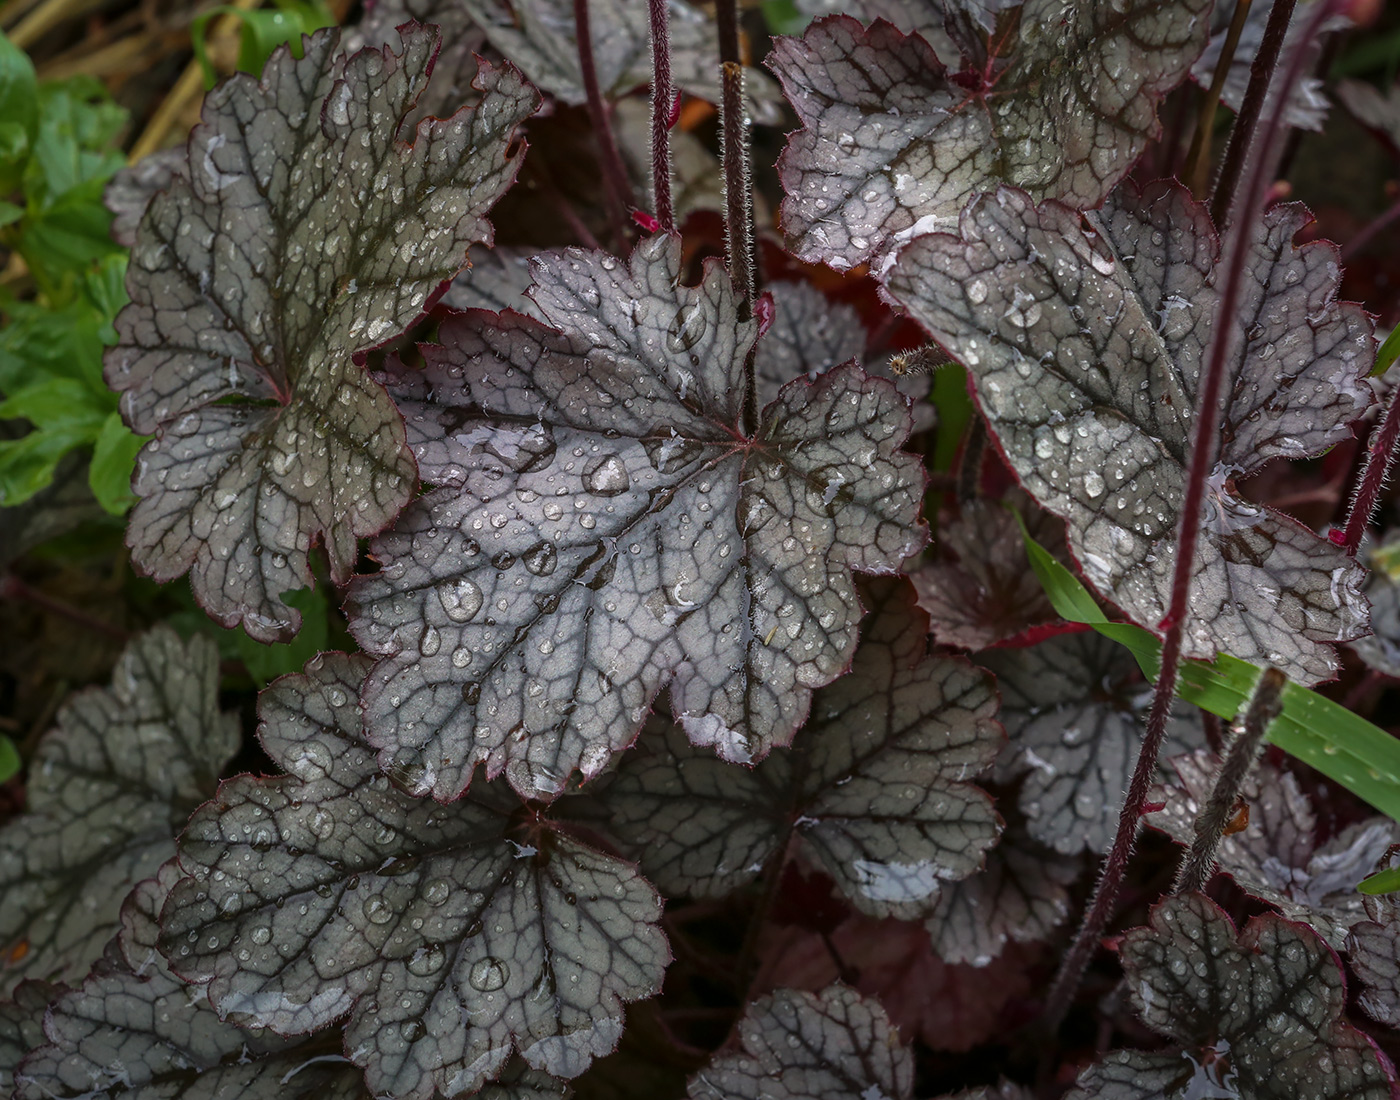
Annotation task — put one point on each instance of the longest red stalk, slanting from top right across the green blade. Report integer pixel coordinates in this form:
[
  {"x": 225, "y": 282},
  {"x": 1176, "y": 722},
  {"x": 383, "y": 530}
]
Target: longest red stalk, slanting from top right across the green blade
[{"x": 1203, "y": 451}]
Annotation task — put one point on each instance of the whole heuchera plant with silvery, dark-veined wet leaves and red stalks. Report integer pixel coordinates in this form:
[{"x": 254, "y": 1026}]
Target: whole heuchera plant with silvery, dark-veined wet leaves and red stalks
[{"x": 727, "y": 720}]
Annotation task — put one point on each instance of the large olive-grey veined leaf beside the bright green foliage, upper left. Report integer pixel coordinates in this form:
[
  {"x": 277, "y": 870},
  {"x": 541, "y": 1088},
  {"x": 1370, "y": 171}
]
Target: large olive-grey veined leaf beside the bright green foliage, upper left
[{"x": 300, "y": 230}]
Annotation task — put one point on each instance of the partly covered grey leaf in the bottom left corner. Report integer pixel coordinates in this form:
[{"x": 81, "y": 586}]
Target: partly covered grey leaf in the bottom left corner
[{"x": 135, "y": 1031}]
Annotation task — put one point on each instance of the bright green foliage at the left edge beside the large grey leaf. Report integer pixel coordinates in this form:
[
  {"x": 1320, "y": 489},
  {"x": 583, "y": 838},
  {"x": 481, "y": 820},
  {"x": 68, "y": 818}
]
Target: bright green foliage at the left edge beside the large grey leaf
[{"x": 58, "y": 152}]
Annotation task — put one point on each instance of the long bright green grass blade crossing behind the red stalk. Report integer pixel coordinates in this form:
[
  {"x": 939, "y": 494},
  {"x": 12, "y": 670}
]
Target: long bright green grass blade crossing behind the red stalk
[{"x": 1343, "y": 747}]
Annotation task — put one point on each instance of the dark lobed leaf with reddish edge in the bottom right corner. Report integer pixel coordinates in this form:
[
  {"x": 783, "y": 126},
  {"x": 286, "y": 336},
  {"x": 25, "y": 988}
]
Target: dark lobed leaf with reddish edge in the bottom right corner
[{"x": 1256, "y": 1014}]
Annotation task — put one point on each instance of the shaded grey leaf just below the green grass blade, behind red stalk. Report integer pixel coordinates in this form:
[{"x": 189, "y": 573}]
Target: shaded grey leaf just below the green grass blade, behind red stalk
[{"x": 1074, "y": 710}]
